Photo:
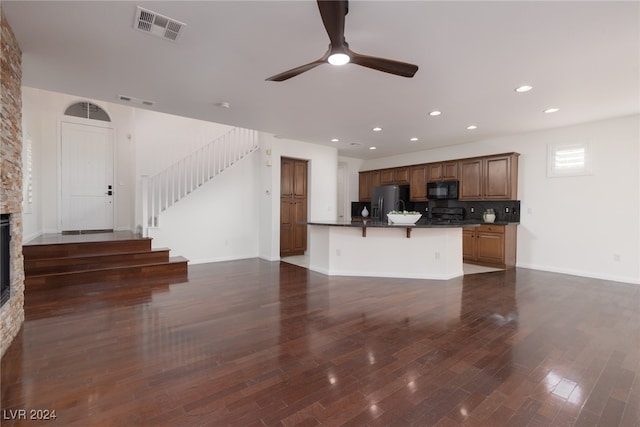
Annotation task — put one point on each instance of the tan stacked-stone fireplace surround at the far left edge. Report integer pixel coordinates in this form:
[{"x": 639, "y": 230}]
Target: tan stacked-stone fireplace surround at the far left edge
[{"x": 12, "y": 312}]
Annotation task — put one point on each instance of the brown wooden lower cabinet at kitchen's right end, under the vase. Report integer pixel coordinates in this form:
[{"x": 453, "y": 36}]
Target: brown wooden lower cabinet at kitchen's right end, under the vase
[{"x": 490, "y": 245}]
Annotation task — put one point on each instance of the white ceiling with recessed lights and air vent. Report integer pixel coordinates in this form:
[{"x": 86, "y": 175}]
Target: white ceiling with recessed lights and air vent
[{"x": 581, "y": 57}]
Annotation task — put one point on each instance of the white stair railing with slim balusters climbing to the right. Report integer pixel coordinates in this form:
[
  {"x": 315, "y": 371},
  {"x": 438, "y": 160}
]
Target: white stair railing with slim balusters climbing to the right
[{"x": 184, "y": 176}]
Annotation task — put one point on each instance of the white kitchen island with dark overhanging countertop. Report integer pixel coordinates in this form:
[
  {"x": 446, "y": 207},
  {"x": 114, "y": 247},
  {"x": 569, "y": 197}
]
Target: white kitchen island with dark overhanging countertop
[{"x": 379, "y": 249}]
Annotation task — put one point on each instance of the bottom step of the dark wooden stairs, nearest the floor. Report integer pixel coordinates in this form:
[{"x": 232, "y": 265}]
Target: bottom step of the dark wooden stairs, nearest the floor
[{"x": 175, "y": 268}]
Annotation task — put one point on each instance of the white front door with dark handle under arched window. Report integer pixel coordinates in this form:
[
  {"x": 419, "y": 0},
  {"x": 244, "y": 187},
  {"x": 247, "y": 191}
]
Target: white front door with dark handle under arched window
[{"x": 87, "y": 177}]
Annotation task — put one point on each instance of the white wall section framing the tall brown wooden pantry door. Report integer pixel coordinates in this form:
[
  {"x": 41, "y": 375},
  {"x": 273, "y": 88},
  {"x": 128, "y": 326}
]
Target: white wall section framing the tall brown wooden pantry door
[{"x": 321, "y": 189}]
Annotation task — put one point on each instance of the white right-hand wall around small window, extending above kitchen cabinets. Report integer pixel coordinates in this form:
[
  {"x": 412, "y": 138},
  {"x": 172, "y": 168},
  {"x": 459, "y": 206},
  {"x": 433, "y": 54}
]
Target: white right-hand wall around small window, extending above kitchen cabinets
[{"x": 587, "y": 225}]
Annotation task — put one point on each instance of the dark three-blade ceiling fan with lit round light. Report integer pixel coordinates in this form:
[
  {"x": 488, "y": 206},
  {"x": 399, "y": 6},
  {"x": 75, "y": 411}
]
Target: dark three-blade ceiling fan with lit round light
[{"x": 339, "y": 53}]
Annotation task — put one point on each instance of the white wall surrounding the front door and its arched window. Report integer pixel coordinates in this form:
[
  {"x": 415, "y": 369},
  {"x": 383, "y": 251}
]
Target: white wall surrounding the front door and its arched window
[{"x": 42, "y": 113}]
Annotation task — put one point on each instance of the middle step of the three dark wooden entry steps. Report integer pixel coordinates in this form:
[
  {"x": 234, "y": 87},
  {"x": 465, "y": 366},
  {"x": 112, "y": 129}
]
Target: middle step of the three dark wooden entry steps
[{"x": 42, "y": 266}]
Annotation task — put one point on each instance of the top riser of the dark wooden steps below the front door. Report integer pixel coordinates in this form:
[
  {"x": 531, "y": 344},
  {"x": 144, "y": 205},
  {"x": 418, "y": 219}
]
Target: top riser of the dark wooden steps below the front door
[{"x": 58, "y": 250}]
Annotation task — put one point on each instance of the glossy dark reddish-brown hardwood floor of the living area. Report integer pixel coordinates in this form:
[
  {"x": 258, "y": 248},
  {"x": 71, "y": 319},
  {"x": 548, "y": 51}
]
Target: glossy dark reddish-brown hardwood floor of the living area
[{"x": 253, "y": 343}]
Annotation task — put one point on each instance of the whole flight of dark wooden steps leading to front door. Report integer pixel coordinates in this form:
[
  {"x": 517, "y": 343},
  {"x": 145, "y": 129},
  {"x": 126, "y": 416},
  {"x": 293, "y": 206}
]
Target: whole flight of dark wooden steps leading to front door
[{"x": 49, "y": 265}]
